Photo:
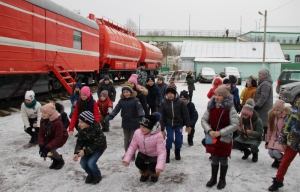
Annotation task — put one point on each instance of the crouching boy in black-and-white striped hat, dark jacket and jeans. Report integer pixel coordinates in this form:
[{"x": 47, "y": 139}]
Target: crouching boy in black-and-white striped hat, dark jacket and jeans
[{"x": 90, "y": 145}]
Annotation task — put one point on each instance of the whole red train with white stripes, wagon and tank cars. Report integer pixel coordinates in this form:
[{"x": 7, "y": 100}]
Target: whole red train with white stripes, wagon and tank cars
[{"x": 45, "y": 47}]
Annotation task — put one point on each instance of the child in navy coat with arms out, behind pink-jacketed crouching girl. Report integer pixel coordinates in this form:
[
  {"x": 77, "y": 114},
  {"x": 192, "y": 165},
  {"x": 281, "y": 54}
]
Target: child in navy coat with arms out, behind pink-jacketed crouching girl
[{"x": 132, "y": 112}]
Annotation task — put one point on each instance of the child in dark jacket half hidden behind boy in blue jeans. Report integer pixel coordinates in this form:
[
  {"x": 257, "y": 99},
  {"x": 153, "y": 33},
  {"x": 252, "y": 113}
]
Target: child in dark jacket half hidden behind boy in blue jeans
[{"x": 193, "y": 114}]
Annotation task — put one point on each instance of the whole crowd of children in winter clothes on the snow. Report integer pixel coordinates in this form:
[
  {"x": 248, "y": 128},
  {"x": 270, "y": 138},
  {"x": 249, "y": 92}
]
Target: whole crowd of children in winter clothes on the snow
[{"x": 48, "y": 126}]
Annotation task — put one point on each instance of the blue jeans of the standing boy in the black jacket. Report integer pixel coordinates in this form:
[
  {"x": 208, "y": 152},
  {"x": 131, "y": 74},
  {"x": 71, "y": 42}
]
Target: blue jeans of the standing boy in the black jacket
[{"x": 170, "y": 136}]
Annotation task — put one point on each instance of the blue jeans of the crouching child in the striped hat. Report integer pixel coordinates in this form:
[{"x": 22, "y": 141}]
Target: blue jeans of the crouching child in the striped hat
[{"x": 89, "y": 163}]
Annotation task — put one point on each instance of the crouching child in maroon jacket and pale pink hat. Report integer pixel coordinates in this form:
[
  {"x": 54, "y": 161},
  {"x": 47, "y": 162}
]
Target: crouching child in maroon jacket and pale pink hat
[{"x": 52, "y": 135}]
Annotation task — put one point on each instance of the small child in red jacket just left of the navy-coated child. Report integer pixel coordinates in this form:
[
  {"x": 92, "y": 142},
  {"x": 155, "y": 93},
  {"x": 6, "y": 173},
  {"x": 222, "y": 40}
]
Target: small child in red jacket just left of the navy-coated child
[{"x": 105, "y": 107}]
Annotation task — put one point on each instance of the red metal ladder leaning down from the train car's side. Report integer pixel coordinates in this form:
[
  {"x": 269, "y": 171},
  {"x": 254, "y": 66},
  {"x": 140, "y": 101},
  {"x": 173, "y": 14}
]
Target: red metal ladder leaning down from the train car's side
[{"x": 63, "y": 76}]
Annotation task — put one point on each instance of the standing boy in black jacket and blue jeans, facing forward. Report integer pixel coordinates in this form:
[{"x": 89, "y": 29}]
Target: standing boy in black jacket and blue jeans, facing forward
[{"x": 174, "y": 114}]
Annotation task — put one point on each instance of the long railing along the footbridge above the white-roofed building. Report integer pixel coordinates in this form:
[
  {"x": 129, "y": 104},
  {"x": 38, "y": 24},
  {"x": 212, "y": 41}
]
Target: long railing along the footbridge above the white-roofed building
[{"x": 186, "y": 33}]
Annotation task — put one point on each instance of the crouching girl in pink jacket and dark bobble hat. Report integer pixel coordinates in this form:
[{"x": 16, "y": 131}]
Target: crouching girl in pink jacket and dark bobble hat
[{"x": 148, "y": 139}]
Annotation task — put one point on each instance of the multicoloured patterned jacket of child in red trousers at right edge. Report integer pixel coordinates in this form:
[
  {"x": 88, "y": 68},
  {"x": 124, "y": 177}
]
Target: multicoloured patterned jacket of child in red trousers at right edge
[{"x": 291, "y": 131}]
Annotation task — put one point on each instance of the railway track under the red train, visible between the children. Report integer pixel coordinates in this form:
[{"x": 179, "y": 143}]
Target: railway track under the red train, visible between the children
[{"x": 13, "y": 105}]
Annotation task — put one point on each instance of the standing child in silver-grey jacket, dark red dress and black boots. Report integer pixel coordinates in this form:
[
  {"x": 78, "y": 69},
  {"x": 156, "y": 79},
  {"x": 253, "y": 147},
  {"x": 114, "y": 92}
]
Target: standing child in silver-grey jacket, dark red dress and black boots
[{"x": 220, "y": 120}]
